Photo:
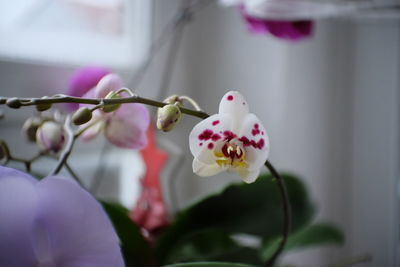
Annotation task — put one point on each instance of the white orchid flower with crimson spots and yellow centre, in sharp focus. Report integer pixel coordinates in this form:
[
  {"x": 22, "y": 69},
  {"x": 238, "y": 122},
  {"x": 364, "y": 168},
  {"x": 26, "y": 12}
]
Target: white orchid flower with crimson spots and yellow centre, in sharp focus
[{"x": 232, "y": 140}]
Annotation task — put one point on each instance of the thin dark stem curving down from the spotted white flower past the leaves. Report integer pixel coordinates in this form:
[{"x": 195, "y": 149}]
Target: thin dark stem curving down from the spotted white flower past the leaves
[{"x": 287, "y": 215}]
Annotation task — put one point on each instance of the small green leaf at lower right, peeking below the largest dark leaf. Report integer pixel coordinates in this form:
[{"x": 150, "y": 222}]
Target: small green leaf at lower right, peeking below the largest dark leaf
[{"x": 314, "y": 235}]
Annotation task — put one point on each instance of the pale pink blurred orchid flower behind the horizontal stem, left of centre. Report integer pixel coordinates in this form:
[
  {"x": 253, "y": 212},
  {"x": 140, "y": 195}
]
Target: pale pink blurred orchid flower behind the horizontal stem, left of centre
[{"x": 125, "y": 127}]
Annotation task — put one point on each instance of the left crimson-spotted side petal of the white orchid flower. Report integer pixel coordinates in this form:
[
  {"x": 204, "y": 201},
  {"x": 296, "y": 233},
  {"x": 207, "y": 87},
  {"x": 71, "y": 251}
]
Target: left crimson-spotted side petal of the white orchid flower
[{"x": 209, "y": 131}]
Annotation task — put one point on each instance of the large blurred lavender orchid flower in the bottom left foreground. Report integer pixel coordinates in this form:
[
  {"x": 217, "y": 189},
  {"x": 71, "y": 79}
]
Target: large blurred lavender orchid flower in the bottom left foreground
[{"x": 53, "y": 223}]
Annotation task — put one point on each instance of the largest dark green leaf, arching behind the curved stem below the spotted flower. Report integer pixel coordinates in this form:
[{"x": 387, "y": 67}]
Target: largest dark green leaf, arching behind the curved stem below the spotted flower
[{"x": 253, "y": 209}]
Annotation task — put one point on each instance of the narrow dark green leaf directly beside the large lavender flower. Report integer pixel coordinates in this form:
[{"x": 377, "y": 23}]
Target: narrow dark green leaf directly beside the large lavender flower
[{"x": 135, "y": 248}]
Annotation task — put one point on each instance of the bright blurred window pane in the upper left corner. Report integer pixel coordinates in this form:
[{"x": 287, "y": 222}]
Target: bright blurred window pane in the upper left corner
[{"x": 114, "y": 33}]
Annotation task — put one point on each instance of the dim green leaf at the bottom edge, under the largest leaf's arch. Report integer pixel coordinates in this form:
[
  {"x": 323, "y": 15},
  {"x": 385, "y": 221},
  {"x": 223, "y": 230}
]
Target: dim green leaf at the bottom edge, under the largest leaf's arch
[{"x": 212, "y": 245}]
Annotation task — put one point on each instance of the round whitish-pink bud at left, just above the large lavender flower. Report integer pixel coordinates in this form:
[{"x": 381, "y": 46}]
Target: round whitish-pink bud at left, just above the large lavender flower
[{"x": 50, "y": 136}]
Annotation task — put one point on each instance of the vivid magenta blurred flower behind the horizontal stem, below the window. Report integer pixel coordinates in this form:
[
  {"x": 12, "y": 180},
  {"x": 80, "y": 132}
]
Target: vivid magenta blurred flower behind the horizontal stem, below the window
[{"x": 83, "y": 80}]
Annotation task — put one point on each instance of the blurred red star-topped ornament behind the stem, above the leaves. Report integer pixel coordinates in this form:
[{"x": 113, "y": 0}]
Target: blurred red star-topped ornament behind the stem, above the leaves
[{"x": 150, "y": 212}]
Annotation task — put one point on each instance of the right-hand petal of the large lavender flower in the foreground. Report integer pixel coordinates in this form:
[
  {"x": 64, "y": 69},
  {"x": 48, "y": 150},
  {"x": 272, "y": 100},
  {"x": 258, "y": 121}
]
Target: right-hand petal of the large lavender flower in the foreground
[{"x": 79, "y": 231}]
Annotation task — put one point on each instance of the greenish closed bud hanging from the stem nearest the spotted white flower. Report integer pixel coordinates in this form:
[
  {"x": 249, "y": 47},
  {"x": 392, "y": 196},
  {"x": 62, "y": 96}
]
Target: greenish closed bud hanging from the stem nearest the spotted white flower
[{"x": 167, "y": 117}]
